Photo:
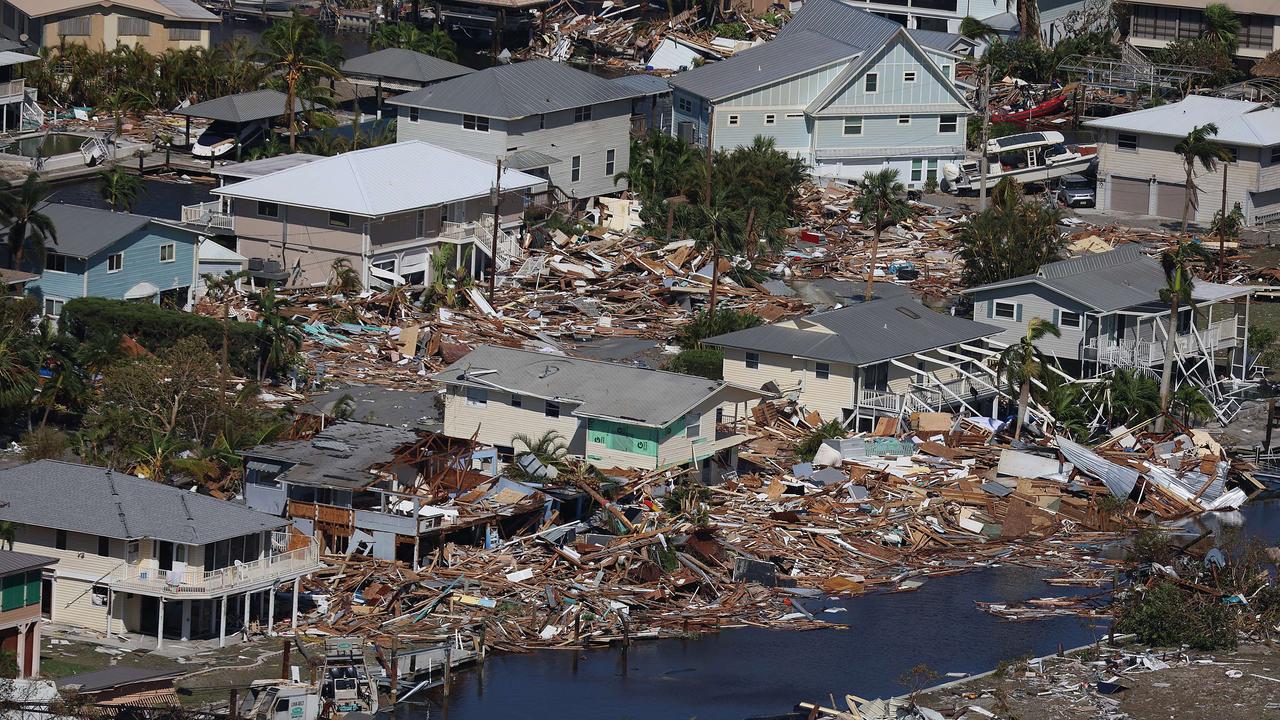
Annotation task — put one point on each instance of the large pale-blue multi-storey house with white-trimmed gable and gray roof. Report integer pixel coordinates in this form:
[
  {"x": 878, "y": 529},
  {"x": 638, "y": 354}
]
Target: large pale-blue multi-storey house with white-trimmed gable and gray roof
[{"x": 847, "y": 90}]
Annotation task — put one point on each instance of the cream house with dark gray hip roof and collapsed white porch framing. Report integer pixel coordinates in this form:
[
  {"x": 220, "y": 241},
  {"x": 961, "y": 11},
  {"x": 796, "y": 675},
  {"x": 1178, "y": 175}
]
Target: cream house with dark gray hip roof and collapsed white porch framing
[{"x": 870, "y": 361}]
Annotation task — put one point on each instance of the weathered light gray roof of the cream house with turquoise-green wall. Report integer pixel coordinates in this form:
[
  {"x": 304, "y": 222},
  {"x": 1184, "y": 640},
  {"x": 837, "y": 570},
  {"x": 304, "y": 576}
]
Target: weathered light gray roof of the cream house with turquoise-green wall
[{"x": 600, "y": 390}]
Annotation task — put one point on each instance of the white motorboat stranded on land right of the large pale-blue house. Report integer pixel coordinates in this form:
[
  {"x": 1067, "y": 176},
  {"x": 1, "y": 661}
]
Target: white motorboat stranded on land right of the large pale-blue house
[{"x": 1028, "y": 157}]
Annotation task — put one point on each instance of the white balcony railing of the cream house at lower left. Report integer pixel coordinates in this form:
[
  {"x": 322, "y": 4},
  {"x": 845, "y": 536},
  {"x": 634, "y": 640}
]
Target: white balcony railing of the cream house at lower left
[{"x": 200, "y": 582}]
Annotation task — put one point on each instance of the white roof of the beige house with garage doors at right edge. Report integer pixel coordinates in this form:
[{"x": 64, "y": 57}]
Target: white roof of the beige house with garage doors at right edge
[{"x": 1238, "y": 122}]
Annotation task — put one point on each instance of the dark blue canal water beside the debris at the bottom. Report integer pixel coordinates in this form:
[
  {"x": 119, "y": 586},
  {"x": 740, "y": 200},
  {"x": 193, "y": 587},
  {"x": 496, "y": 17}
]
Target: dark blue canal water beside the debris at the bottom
[{"x": 742, "y": 673}]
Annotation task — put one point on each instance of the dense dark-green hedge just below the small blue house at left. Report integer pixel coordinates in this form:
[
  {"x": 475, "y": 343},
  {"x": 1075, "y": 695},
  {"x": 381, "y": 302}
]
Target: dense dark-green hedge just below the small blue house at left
[{"x": 159, "y": 329}]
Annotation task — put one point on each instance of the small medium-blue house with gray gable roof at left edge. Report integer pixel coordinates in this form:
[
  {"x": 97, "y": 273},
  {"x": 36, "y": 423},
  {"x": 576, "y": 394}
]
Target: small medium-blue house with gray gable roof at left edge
[{"x": 117, "y": 256}]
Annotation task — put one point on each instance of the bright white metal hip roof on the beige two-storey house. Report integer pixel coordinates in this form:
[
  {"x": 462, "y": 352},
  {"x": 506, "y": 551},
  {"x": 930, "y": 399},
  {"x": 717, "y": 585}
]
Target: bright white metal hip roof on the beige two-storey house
[{"x": 382, "y": 181}]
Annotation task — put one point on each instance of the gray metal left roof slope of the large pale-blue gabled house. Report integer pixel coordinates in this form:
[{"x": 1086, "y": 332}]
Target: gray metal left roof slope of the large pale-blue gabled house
[{"x": 776, "y": 61}]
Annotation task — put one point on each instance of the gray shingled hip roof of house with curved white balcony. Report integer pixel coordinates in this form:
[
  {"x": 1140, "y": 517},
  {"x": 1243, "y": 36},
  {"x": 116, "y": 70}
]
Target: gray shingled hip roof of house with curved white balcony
[{"x": 83, "y": 499}]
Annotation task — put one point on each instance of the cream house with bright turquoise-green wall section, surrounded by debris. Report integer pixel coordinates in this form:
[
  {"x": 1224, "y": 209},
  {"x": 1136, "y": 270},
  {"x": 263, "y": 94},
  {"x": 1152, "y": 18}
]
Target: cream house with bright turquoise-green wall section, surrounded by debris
[{"x": 610, "y": 414}]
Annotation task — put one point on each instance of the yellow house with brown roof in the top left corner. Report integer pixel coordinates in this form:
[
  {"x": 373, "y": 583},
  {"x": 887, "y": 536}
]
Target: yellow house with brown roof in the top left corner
[{"x": 102, "y": 25}]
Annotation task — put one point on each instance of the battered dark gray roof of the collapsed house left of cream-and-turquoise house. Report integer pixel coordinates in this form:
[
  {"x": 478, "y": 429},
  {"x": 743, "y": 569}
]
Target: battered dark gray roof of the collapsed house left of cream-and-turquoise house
[{"x": 339, "y": 457}]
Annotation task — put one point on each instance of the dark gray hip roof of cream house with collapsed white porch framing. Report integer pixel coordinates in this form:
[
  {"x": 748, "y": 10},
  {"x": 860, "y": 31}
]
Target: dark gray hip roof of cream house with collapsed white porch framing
[{"x": 862, "y": 335}]
